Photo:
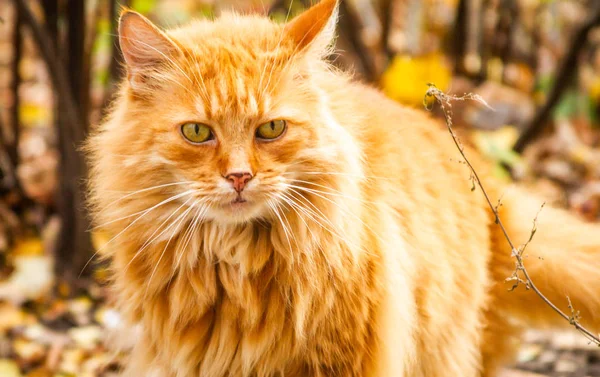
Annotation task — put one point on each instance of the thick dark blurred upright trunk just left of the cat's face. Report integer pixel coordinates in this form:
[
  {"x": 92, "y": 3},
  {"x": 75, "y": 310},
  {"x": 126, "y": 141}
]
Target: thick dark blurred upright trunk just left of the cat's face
[{"x": 70, "y": 77}]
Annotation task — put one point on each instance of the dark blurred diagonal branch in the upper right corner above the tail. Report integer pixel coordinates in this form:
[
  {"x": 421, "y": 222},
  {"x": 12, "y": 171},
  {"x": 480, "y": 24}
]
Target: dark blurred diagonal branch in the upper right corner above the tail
[{"x": 564, "y": 77}]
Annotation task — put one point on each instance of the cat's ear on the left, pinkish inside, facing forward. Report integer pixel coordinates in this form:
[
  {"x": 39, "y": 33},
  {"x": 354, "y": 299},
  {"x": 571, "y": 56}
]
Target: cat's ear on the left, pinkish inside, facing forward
[{"x": 143, "y": 44}]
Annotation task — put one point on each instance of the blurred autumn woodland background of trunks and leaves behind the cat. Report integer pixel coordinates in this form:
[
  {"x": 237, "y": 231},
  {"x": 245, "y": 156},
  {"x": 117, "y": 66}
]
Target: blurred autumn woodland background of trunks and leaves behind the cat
[{"x": 536, "y": 62}]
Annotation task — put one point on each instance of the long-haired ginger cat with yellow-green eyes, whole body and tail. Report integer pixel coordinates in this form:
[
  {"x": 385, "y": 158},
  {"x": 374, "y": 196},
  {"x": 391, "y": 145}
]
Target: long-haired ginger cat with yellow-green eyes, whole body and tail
[{"x": 274, "y": 218}]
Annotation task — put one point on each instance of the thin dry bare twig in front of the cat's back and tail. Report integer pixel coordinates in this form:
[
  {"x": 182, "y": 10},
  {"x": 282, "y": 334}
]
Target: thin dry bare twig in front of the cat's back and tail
[{"x": 433, "y": 93}]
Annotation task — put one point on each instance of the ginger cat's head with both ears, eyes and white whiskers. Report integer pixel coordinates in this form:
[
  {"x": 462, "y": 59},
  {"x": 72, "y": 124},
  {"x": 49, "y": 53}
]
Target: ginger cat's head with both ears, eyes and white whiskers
[{"x": 226, "y": 116}]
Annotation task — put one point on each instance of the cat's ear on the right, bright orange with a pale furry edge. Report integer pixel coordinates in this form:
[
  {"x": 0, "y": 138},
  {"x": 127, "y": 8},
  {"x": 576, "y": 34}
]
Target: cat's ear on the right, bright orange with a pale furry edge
[{"x": 314, "y": 29}]
